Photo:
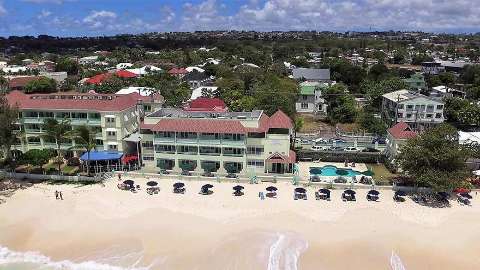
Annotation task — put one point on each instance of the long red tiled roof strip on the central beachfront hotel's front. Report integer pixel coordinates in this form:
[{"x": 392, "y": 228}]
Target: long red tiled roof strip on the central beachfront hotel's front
[{"x": 200, "y": 125}]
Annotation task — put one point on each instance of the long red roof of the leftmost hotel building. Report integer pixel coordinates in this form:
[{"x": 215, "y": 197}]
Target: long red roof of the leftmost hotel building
[{"x": 65, "y": 101}]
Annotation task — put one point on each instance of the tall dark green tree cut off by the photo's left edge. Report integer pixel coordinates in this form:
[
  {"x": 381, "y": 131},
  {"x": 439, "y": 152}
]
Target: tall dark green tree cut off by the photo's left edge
[{"x": 8, "y": 127}]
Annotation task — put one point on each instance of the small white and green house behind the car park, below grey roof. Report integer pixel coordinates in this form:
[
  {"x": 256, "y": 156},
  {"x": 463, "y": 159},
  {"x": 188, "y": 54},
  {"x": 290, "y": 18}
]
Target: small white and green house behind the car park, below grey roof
[{"x": 310, "y": 99}]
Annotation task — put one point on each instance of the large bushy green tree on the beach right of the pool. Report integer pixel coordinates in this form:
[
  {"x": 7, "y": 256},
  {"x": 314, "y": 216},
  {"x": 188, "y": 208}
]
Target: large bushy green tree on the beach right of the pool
[{"x": 435, "y": 159}]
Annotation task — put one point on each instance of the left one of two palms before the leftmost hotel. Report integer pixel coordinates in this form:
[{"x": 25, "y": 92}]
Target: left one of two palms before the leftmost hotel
[{"x": 58, "y": 132}]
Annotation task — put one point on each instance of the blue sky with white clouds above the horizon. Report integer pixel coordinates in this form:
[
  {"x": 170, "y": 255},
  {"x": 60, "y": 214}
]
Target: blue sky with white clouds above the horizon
[{"x": 109, "y": 17}]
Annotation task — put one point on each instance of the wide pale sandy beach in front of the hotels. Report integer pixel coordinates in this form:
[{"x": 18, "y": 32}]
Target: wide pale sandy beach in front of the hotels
[{"x": 102, "y": 227}]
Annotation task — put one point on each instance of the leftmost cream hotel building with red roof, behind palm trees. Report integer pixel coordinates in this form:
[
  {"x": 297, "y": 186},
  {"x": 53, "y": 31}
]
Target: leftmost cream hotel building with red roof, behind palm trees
[{"x": 113, "y": 116}]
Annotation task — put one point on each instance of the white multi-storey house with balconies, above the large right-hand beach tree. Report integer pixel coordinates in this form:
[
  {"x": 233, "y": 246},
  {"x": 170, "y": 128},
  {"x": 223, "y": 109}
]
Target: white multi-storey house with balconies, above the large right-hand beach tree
[{"x": 417, "y": 110}]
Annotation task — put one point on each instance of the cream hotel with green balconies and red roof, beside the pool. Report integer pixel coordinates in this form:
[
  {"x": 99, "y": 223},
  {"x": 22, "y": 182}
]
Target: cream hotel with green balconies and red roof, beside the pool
[{"x": 221, "y": 143}]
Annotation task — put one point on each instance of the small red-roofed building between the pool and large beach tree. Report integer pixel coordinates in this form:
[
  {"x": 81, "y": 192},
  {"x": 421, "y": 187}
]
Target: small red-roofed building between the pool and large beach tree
[{"x": 398, "y": 136}]
